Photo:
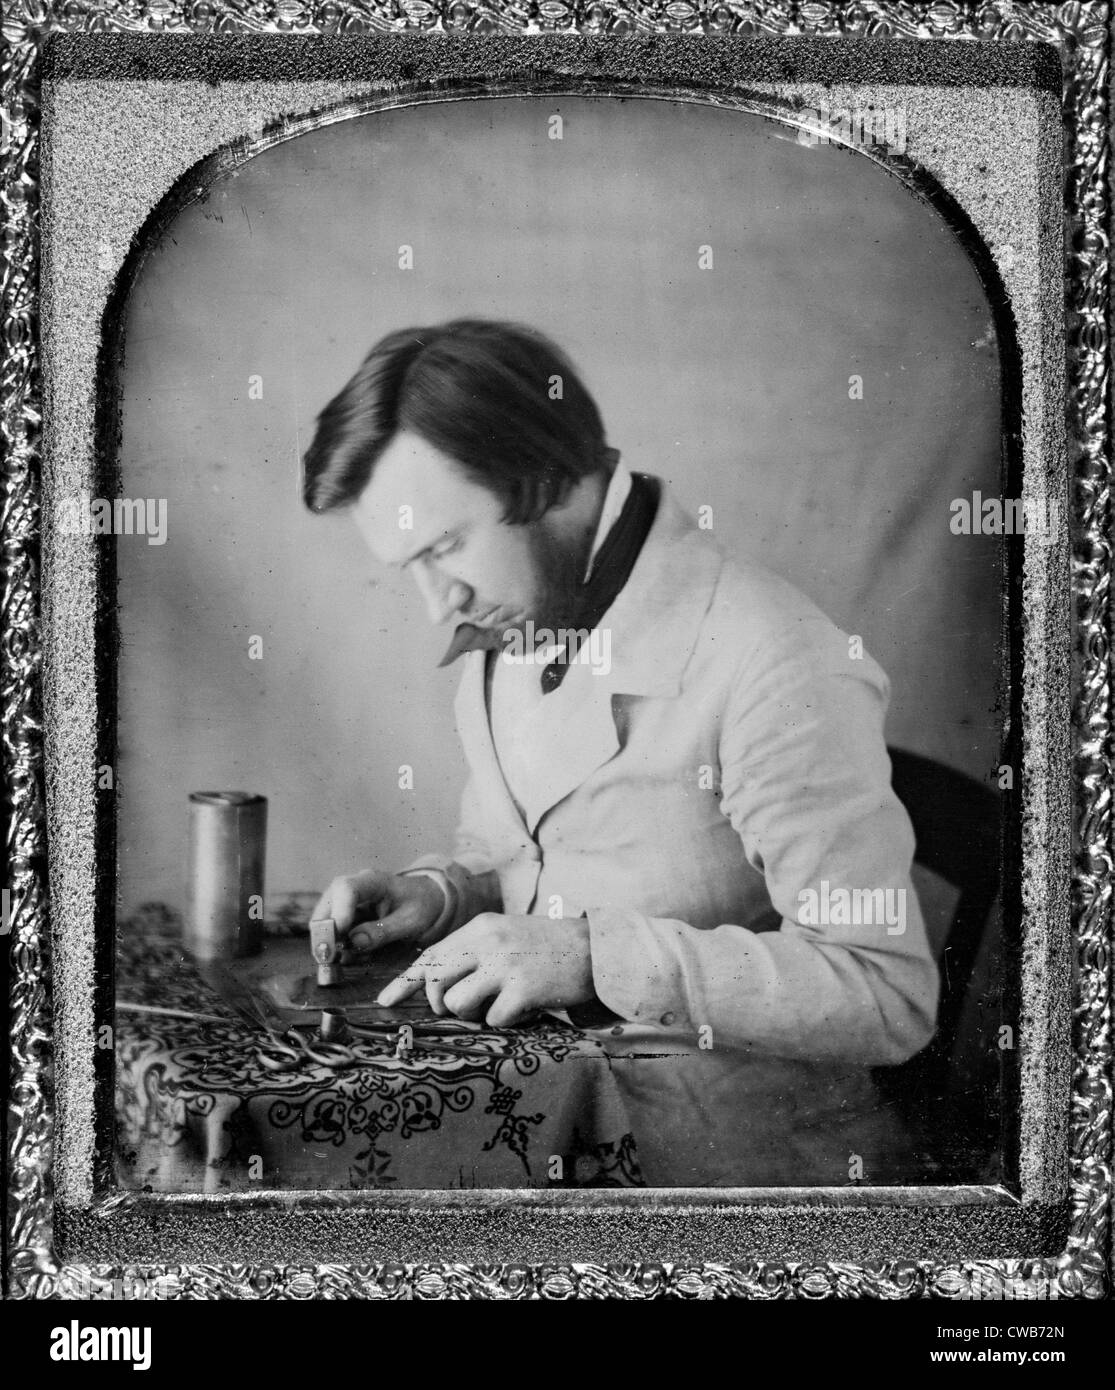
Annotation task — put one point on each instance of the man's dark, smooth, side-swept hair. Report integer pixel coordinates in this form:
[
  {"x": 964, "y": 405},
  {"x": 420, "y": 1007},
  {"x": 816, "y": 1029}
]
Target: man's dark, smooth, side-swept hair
[{"x": 480, "y": 393}]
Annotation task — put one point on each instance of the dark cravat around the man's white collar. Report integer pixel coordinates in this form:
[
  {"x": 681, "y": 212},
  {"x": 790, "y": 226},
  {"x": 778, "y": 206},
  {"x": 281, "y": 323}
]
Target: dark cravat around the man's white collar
[{"x": 611, "y": 571}]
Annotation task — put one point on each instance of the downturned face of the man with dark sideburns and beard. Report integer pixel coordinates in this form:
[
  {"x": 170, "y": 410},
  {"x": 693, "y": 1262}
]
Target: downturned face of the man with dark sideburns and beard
[{"x": 423, "y": 514}]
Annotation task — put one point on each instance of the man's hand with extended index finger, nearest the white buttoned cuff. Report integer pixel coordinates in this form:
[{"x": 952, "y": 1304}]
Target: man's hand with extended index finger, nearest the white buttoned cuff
[{"x": 501, "y": 970}]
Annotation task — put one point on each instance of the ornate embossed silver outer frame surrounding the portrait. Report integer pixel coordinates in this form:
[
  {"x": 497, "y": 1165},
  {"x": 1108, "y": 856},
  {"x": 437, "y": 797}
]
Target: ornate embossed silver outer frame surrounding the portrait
[{"x": 40, "y": 1238}]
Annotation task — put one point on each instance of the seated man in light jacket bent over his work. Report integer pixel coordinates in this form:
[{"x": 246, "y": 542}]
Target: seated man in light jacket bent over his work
[{"x": 679, "y": 822}]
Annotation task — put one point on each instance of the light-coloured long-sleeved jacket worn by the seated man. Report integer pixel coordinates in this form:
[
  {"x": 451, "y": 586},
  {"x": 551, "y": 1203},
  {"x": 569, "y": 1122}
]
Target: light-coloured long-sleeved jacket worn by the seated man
[{"x": 714, "y": 806}]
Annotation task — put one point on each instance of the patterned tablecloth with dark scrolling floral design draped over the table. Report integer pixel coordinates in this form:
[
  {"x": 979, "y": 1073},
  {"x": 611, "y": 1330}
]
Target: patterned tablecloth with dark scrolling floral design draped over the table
[{"x": 216, "y": 1106}]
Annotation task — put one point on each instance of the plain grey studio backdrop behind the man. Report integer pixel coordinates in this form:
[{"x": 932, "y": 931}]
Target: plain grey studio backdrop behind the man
[{"x": 732, "y": 384}]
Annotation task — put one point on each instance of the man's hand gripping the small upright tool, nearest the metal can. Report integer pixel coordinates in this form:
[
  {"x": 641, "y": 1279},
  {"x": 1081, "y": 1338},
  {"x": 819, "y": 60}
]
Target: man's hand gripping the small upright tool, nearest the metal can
[{"x": 373, "y": 908}]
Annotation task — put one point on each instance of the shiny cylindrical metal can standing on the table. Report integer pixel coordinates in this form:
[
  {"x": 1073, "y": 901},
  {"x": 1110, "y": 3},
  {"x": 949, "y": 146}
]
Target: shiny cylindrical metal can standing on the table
[{"x": 227, "y": 851}]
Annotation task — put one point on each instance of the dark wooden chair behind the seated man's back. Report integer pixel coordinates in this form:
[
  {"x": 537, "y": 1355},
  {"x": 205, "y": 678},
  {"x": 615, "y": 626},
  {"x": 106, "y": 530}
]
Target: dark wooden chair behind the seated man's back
[{"x": 957, "y": 829}]
